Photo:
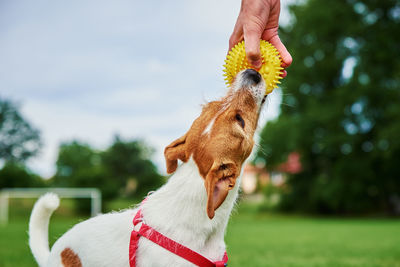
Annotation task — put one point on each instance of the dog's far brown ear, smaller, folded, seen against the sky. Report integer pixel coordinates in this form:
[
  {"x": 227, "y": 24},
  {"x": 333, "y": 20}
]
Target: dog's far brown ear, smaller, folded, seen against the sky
[{"x": 176, "y": 150}]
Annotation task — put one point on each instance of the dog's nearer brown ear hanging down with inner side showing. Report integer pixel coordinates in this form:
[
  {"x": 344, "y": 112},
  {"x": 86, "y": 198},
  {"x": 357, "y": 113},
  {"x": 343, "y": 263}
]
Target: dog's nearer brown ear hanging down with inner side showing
[{"x": 219, "y": 180}]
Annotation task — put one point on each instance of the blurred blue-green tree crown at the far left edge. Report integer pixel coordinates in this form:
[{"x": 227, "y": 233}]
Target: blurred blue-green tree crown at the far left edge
[{"x": 18, "y": 139}]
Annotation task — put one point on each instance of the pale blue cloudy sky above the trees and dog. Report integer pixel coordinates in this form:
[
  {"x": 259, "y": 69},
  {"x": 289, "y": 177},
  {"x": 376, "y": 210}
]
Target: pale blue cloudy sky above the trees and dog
[{"x": 88, "y": 70}]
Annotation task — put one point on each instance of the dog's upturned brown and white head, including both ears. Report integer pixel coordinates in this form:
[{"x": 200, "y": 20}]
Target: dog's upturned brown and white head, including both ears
[{"x": 221, "y": 138}]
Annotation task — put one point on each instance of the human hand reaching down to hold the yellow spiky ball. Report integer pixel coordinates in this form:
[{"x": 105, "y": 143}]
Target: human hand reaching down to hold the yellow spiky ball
[{"x": 258, "y": 19}]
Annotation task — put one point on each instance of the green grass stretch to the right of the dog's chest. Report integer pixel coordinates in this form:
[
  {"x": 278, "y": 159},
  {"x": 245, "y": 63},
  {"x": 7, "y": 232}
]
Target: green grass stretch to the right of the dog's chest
[{"x": 272, "y": 240}]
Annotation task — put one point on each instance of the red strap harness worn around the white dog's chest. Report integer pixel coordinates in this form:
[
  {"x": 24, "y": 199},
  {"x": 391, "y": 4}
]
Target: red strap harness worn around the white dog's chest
[{"x": 167, "y": 243}]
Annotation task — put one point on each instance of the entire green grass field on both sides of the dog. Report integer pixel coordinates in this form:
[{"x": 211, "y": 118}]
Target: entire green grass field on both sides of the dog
[{"x": 256, "y": 239}]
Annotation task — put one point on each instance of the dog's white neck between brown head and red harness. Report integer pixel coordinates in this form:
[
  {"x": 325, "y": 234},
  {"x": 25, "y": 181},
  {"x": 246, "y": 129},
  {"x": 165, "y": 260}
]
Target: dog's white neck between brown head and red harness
[{"x": 178, "y": 210}]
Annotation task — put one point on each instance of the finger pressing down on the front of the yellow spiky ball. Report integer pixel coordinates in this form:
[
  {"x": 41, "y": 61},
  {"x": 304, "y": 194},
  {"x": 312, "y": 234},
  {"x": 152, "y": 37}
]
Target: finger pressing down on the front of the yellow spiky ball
[{"x": 252, "y": 47}]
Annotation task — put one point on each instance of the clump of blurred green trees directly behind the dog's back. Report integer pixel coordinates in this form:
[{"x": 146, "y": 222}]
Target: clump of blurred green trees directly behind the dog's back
[{"x": 112, "y": 170}]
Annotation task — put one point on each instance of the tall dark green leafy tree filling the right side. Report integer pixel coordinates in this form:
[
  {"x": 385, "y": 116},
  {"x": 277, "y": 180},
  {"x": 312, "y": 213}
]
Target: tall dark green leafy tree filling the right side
[{"x": 341, "y": 108}]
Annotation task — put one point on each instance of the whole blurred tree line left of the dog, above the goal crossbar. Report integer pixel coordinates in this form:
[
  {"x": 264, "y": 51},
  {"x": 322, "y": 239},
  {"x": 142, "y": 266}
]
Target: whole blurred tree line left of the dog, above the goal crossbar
[{"x": 123, "y": 169}]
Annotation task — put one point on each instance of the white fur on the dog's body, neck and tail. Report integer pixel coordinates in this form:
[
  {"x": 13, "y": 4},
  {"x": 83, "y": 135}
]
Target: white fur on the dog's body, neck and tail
[{"x": 178, "y": 210}]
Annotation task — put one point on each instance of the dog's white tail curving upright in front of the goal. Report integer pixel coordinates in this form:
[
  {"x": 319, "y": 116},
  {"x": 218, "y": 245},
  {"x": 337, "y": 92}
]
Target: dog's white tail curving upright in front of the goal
[{"x": 39, "y": 226}]
